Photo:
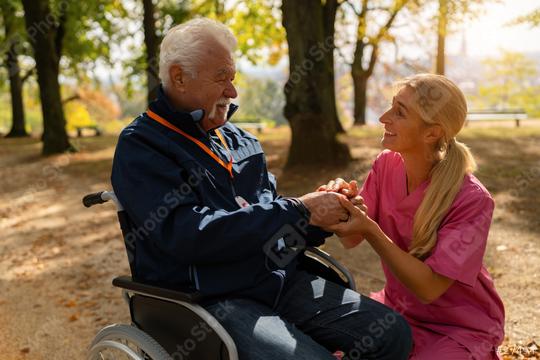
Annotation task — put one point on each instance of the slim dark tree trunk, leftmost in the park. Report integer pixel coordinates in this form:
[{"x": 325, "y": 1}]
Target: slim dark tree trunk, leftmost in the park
[{"x": 15, "y": 86}]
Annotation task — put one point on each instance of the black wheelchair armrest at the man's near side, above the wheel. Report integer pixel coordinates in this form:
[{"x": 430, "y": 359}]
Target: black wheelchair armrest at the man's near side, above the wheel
[{"x": 127, "y": 283}]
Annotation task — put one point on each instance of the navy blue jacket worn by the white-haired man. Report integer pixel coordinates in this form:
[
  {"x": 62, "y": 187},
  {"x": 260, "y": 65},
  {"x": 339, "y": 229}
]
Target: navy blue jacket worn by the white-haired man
[{"x": 189, "y": 229}]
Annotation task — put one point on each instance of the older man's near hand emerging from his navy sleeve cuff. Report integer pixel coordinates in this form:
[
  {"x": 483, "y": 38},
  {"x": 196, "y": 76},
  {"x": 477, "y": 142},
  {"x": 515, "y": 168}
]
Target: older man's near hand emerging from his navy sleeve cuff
[{"x": 325, "y": 208}]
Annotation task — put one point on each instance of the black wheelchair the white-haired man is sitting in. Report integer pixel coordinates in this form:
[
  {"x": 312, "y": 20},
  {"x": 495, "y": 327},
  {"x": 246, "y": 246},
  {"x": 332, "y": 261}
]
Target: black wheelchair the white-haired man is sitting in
[{"x": 163, "y": 320}]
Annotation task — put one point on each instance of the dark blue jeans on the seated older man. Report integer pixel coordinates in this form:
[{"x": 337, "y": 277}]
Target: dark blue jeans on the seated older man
[{"x": 313, "y": 319}]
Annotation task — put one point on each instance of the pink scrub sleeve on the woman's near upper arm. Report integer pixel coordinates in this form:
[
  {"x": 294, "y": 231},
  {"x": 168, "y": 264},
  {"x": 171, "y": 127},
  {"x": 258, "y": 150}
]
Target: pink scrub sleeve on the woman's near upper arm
[{"x": 462, "y": 238}]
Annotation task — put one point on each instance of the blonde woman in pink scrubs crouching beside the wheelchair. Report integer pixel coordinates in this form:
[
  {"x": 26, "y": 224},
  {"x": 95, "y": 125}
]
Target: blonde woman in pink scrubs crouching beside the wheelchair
[{"x": 428, "y": 219}]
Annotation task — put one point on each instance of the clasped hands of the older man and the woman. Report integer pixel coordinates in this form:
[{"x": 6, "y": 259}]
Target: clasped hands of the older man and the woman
[{"x": 337, "y": 207}]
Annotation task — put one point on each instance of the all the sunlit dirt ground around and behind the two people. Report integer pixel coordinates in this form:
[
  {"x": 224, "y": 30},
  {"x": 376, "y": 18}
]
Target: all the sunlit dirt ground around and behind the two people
[{"x": 57, "y": 258}]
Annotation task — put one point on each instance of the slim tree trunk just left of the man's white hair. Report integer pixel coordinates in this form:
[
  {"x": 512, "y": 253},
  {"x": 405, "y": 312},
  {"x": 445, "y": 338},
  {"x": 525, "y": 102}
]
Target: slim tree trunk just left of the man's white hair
[{"x": 152, "y": 51}]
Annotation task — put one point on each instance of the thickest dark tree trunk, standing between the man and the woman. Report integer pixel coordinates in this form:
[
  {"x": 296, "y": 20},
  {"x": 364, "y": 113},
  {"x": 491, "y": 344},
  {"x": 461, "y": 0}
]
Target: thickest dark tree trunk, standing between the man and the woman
[{"x": 310, "y": 98}]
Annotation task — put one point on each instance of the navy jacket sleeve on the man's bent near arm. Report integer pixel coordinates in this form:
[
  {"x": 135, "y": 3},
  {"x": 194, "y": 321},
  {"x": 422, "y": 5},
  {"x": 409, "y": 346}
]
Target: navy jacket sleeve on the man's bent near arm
[{"x": 165, "y": 207}]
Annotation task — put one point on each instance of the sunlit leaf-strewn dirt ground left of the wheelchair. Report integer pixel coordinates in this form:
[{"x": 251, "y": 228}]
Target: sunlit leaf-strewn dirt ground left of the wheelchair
[{"x": 57, "y": 258}]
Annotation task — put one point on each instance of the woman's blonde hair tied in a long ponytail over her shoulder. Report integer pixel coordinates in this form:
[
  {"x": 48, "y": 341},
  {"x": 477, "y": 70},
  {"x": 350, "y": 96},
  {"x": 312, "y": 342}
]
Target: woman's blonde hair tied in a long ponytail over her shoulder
[{"x": 439, "y": 102}]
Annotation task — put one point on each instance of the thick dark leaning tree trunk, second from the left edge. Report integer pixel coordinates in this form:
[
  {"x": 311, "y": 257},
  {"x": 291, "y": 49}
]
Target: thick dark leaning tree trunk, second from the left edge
[{"x": 43, "y": 37}]
